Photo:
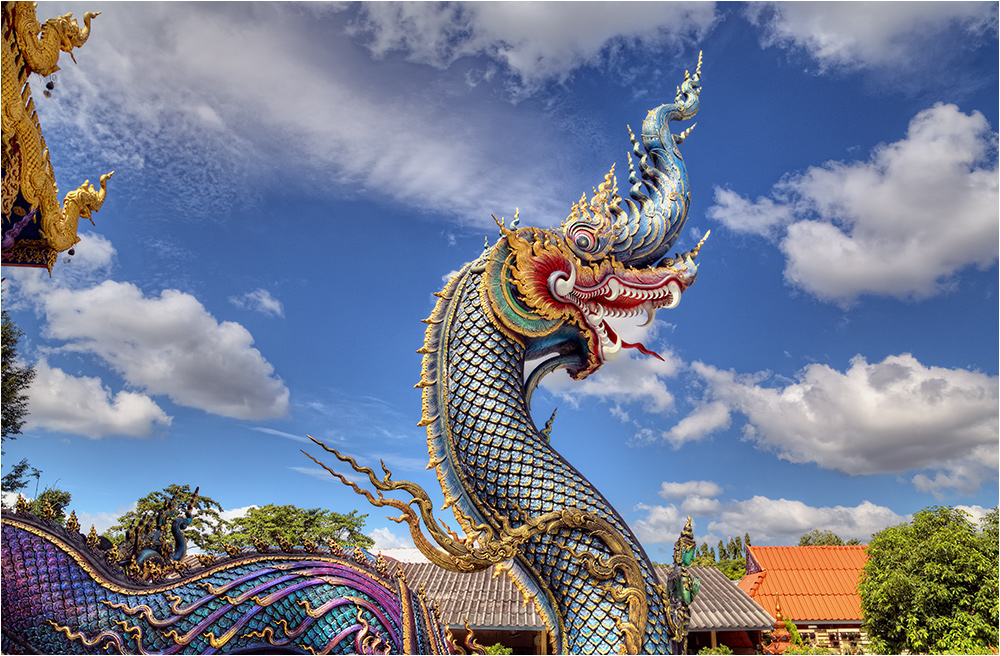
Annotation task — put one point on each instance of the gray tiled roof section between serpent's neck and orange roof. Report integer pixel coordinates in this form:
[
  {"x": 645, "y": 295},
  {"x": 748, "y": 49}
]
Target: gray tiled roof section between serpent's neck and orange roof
[{"x": 720, "y": 605}]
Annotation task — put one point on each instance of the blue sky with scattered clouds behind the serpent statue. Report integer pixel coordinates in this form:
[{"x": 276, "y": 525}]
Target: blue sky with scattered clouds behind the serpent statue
[{"x": 294, "y": 181}]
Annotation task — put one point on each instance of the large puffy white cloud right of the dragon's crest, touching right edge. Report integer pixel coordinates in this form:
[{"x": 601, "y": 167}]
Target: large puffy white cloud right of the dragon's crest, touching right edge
[{"x": 904, "y": 223}]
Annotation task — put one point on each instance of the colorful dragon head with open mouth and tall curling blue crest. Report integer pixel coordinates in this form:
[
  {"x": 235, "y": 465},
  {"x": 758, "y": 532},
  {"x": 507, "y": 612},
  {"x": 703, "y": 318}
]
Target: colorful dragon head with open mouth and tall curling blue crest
[{"x": 556, "y": 289}]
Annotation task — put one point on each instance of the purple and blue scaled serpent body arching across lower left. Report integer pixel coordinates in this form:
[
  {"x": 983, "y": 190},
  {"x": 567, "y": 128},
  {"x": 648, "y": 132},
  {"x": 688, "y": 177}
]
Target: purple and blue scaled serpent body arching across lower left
[{"x": 259, "y": 599}]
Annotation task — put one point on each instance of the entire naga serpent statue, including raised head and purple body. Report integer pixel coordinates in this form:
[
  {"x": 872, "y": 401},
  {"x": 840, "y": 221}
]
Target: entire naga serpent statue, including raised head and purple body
[{"x": 536, "y": 294}]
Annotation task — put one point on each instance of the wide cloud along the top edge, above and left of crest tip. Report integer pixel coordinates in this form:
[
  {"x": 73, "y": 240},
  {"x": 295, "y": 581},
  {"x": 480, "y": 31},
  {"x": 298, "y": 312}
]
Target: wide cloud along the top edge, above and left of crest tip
[{"x": 536, "y": 42}]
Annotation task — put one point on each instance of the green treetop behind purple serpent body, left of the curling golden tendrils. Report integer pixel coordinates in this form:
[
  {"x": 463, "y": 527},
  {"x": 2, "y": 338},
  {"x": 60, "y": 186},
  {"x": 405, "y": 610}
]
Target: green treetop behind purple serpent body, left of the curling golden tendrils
[{"x": 269, "y": 523}]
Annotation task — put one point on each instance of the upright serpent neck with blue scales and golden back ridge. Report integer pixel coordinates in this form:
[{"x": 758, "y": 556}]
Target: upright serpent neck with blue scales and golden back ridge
[{"x": 498, "y": 465}]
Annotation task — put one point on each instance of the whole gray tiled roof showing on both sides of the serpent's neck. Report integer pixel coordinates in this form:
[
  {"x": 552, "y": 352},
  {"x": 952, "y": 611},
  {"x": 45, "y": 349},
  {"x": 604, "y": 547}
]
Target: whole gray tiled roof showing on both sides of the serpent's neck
[{"x": 490, "y": 602}]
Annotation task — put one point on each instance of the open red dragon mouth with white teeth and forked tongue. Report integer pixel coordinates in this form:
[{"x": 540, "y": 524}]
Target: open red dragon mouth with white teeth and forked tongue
[{"x": 624, "y": 293}]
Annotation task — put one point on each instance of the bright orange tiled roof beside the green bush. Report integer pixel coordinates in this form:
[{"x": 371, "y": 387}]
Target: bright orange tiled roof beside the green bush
[{"x": 814, "y": 584}]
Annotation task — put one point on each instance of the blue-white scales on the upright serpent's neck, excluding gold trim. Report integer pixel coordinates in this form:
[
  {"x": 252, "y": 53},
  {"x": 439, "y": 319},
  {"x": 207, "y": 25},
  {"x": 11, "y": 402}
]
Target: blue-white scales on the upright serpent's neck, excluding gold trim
[{"x": 508, "y": 465}]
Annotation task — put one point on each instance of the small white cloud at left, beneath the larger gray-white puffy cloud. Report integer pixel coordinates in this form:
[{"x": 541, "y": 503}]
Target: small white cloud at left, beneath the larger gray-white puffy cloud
[{"x": 84, "y": 406}]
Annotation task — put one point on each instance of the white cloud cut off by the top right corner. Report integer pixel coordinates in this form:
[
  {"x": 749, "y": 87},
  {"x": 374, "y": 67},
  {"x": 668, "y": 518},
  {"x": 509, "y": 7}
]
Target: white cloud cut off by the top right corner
[{"x": 854, "y": 35}]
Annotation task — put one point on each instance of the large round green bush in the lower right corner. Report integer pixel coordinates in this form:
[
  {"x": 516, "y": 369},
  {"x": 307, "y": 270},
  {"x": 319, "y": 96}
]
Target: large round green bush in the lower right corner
[{"x": 930, "y": 585}]
